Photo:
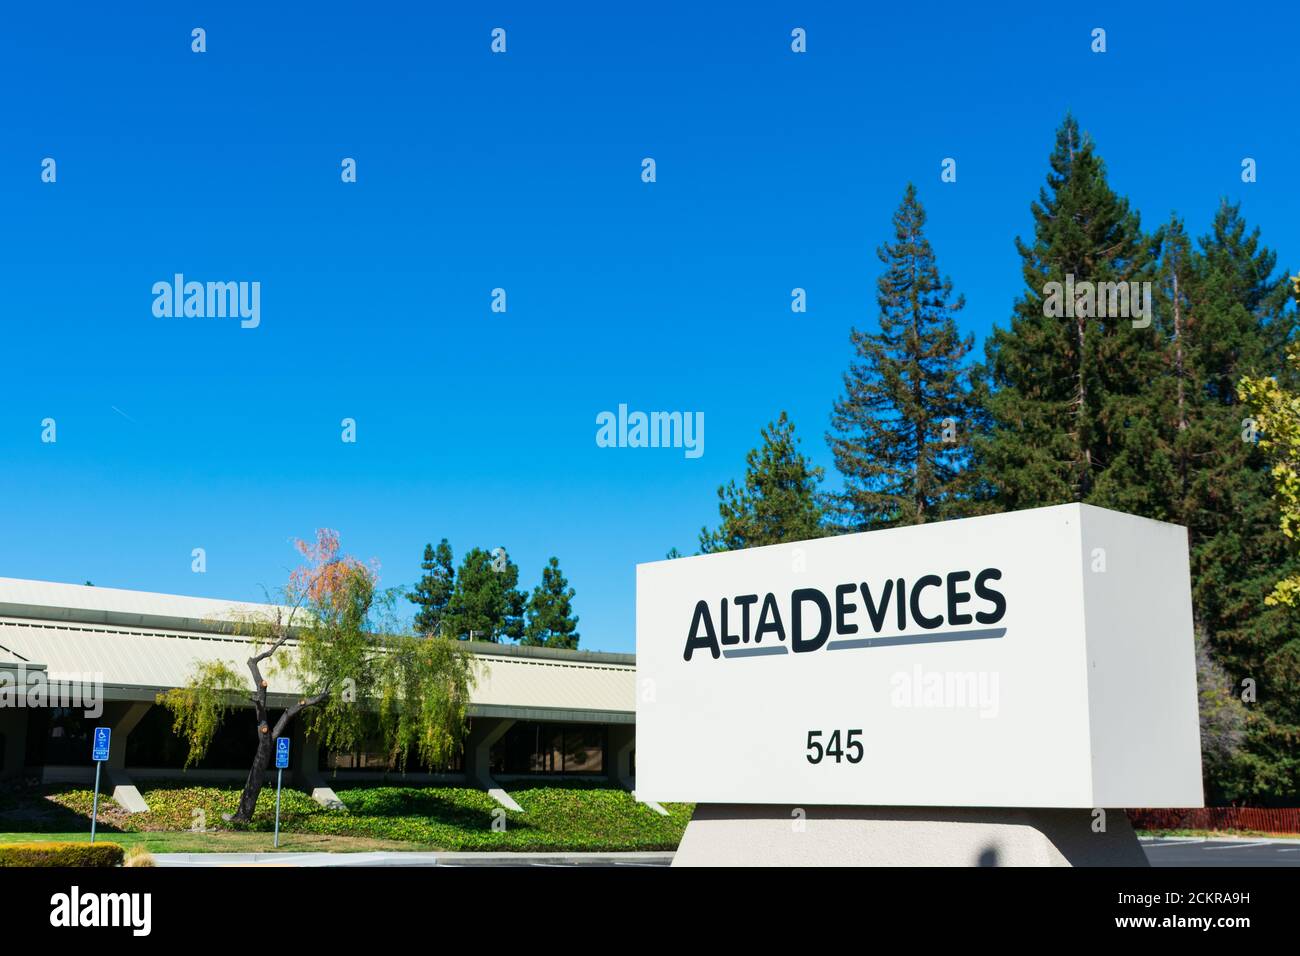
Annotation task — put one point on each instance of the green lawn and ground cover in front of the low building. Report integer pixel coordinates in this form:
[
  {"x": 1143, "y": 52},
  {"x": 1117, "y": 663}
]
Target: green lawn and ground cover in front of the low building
[{"x": 184, "y": 819}]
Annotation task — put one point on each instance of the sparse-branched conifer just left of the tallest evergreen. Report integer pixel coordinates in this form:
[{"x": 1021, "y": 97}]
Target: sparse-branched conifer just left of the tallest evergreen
[{"x": 900, "y": 432}]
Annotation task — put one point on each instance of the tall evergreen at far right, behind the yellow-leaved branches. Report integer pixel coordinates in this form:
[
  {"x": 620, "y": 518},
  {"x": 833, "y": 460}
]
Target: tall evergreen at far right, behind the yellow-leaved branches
[{"x": 1236, "y": 325}]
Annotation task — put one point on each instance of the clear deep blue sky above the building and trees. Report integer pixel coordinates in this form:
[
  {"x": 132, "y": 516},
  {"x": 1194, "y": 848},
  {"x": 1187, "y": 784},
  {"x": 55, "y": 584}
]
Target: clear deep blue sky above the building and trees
[{"x": 522, "y": 171}]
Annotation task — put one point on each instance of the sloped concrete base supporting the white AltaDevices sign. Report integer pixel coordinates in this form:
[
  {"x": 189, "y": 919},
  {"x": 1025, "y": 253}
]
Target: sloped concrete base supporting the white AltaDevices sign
[{"x": 765, "y": 836}]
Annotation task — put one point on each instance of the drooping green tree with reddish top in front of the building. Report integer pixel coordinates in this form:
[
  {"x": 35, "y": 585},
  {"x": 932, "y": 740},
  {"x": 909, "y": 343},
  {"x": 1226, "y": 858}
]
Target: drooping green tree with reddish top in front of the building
[{"x": 333, "y": 639}]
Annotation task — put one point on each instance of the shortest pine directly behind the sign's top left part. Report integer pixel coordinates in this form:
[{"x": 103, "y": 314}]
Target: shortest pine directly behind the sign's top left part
[{"x": 778, "y": 503}]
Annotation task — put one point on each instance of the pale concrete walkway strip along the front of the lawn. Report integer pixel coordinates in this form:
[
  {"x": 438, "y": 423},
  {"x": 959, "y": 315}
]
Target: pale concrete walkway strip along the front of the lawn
[{"x": 404, "y": 859}]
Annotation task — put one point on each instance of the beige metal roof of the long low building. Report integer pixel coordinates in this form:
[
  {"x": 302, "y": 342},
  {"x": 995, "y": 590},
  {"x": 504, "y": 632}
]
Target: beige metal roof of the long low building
[{"x": 138, "y": 644}]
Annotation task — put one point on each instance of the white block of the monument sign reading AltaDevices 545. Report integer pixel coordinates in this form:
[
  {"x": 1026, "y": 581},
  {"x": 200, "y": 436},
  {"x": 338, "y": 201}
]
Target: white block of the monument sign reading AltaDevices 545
[{"x": 1039, "y": 659}]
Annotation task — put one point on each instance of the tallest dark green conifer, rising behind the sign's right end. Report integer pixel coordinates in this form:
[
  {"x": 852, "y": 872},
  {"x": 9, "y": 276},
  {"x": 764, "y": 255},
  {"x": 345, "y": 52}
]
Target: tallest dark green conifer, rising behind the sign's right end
[{"x": 1071, "y": 414}]
